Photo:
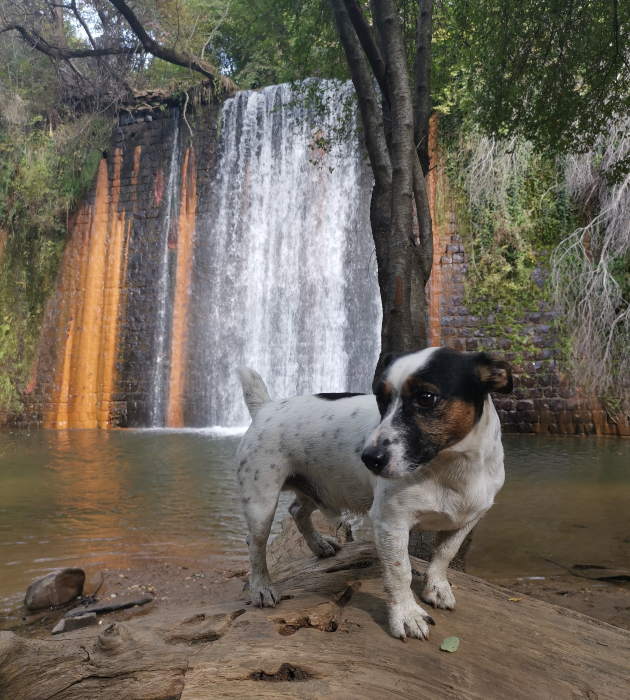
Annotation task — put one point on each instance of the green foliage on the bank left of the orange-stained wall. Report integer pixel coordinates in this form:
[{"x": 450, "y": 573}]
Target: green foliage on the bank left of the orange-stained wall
[{"x": 42, "y": 176}]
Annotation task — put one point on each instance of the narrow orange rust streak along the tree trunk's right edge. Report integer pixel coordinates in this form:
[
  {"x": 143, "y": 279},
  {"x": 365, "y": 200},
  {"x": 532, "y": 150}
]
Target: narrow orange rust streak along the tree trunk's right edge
[{"x": 435, "y": 281}]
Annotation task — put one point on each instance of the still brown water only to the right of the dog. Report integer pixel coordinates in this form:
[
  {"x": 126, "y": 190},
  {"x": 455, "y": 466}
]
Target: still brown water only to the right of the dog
[{"x": 566, "y": 499}]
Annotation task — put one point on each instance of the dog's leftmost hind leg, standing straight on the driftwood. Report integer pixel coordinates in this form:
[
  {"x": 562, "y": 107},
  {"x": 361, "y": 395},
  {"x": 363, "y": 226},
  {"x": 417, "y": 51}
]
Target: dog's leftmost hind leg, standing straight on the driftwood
[{"x": 259, "y": 513}]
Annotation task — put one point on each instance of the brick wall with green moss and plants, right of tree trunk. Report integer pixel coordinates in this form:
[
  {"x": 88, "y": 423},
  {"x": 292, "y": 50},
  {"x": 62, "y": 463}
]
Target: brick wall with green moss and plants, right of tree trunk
[{"x": 488, "y": 291}]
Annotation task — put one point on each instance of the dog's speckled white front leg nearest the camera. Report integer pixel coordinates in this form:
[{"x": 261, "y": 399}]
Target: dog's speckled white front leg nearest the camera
[{"x": 406, "y": 617}]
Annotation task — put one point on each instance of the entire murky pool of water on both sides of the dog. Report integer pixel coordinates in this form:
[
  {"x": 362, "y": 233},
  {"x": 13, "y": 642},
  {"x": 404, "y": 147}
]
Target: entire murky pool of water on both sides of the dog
[{"x": 111, "y": 498}]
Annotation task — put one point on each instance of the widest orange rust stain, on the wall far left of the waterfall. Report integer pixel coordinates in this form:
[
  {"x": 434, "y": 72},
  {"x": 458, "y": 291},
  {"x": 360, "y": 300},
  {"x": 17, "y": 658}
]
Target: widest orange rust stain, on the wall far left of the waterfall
[{"x": 91, "y": 283}]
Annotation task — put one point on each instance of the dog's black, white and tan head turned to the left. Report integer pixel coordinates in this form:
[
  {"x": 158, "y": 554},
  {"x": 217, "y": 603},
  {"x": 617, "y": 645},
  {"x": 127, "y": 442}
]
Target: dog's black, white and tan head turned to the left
[{"x": 429, "y": 400}]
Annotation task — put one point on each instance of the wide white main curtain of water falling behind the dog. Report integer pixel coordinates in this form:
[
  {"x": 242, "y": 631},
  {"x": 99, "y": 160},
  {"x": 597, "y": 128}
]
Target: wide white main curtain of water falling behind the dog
[{"x": 285, "y": 277}]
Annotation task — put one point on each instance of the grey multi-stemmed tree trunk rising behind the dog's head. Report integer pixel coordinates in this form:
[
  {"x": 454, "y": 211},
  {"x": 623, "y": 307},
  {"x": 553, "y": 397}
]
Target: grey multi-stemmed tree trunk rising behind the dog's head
[{"x": 404, "y": 260}]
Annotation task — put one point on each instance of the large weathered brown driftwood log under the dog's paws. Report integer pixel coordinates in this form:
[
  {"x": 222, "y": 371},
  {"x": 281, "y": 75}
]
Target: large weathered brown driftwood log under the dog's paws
[{"x": 329, "y": 639}]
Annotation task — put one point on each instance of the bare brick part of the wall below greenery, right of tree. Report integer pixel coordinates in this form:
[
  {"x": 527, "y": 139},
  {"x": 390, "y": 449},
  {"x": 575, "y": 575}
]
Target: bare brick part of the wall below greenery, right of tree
[{"x": 545, "y": 399}]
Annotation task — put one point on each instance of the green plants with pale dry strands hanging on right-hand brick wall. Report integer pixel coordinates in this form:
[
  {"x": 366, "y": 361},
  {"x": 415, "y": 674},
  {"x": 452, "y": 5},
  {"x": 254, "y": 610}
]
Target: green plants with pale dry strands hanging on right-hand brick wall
[{"x": 513, "y": 210}]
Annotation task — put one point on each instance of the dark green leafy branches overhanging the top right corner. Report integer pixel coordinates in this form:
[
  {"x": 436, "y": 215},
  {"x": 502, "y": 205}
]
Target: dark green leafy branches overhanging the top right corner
[{"x": 551, "y": 71}]
